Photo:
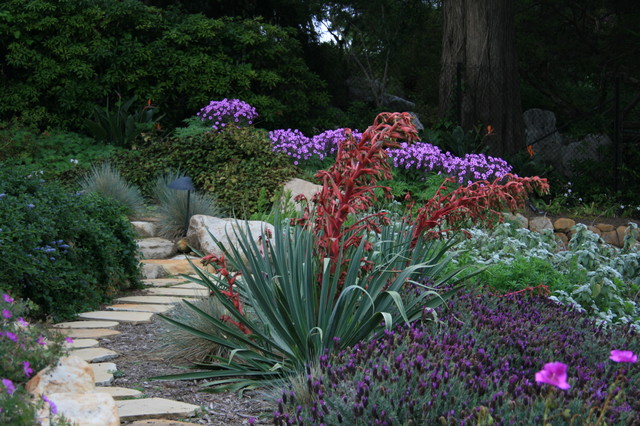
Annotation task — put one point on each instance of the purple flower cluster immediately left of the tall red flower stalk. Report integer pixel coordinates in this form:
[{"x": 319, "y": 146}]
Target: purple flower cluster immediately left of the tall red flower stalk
[{"x": 300, "y": 147}]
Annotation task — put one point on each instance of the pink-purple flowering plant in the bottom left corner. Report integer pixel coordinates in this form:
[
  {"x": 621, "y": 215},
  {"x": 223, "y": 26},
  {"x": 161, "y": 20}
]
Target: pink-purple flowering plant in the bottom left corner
[{"x": 26, "y": 349}]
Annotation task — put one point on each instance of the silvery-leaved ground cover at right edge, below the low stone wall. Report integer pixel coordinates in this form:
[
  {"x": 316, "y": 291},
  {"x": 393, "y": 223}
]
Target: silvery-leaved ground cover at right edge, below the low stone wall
[{"x": 593, "y": 276}]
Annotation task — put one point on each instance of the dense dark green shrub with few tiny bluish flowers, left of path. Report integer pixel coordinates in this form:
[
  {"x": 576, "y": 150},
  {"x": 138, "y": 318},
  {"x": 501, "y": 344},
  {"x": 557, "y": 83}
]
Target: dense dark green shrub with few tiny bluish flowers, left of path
[{"x": 65, "y": 252}]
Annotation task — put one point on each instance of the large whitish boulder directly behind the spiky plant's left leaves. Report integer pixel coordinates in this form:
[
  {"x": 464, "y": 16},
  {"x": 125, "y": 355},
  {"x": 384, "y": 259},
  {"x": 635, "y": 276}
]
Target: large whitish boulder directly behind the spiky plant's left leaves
[{"x": 226, "y": 231}]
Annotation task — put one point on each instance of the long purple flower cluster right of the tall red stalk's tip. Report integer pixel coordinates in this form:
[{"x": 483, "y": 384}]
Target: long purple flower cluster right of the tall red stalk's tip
[{"x": 423, "y": 156}]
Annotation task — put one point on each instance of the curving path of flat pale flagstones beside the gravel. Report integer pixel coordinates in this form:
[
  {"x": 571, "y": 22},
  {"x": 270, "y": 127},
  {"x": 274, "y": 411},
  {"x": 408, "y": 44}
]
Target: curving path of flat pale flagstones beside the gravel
[{"x": 162, "y": 296}]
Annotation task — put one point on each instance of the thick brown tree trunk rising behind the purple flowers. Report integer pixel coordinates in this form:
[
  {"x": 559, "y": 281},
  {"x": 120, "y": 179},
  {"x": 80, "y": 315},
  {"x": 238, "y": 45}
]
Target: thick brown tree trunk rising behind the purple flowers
[{"x": 484, "y": 89}]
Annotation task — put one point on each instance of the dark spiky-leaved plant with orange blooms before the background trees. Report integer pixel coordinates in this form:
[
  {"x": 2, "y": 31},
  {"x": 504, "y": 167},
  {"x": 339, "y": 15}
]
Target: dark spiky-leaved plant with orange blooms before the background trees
[{"x": 119, "y": 127}]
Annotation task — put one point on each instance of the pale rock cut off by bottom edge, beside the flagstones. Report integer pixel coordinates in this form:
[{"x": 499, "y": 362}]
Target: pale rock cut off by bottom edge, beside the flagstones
[{"x": 84, "y": 409}]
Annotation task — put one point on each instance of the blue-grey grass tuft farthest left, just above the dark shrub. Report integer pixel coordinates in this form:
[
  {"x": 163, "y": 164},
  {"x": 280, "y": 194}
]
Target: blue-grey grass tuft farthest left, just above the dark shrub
[{"x": 107, "y": 181}]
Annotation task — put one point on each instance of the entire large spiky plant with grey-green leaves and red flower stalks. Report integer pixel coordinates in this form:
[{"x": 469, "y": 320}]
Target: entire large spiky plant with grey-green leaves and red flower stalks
[{"x": 336, "y": 275}]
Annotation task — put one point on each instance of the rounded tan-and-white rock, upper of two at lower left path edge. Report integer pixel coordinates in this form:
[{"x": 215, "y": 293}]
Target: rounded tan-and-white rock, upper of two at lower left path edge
[{"x": 70, "y": 374}]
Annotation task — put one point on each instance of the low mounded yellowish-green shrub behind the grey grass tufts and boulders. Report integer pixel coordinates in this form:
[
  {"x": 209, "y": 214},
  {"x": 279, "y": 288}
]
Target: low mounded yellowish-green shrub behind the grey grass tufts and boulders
[{"x": 234, "y": 165}]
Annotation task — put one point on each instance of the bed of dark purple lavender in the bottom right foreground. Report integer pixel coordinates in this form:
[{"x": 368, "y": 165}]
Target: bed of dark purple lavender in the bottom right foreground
[{"x": 520, "y": 359}]
